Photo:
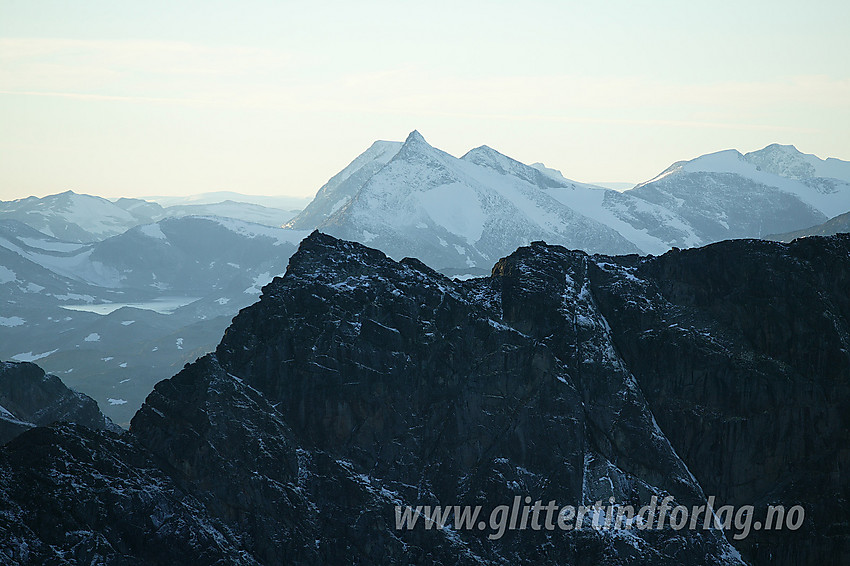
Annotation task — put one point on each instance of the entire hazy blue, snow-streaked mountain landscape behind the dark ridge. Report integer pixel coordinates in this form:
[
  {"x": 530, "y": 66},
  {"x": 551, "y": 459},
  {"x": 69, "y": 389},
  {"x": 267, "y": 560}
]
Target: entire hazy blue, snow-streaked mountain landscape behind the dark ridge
[{"x": 116, "y": 295}]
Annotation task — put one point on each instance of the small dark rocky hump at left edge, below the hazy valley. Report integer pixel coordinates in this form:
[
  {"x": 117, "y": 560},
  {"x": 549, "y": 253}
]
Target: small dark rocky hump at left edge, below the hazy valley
[{"x": 30, "y": 398}]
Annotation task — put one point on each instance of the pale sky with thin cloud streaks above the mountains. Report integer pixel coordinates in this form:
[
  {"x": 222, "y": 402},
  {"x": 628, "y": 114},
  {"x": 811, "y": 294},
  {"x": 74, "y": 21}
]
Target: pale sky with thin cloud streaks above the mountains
[{"x": 273, "y": 97}]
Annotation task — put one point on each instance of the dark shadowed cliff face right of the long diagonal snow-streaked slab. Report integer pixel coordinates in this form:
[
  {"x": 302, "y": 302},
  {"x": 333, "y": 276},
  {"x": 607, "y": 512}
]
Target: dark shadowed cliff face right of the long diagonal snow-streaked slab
[{"x": 742, "y": 349}]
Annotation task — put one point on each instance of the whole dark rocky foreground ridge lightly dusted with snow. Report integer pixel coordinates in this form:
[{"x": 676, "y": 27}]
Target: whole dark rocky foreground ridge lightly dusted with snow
[{"x": 358, "y": 383}]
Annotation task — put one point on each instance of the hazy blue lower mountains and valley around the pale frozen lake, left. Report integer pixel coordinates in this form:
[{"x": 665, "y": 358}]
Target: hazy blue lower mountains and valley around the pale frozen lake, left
[{"x": 116, "y": 316}]
